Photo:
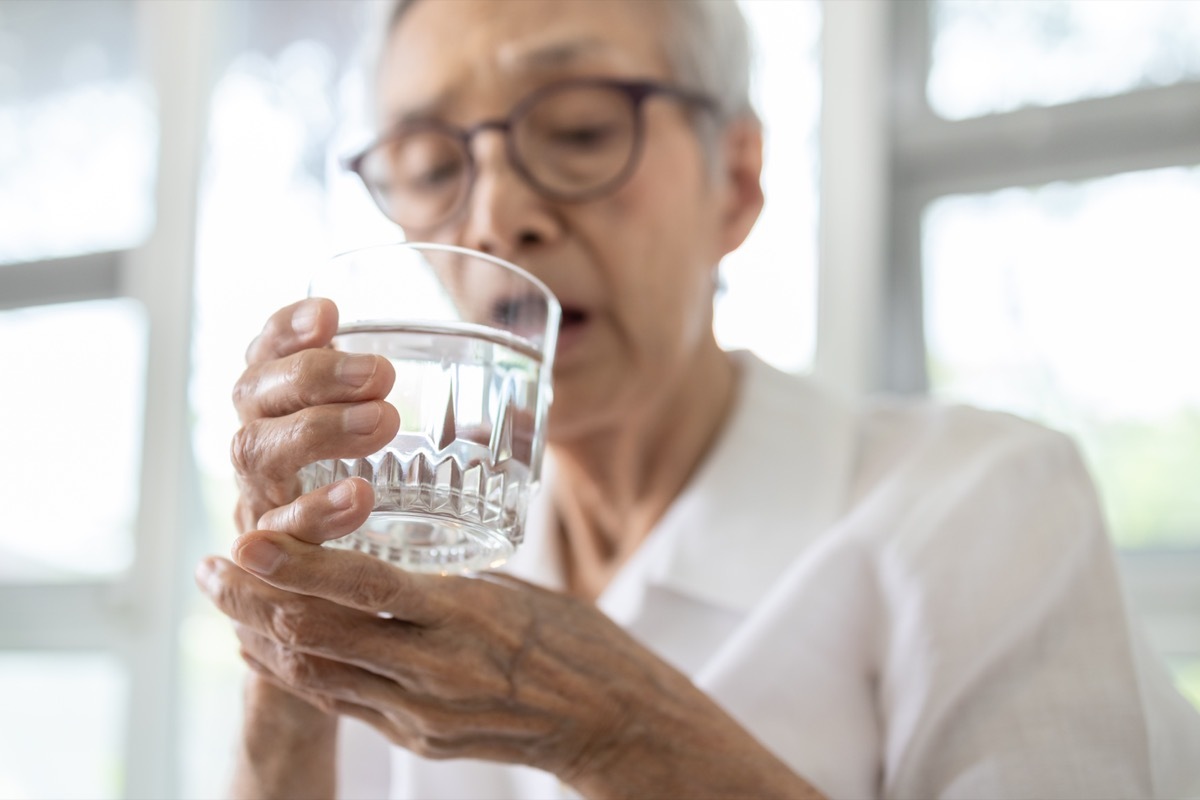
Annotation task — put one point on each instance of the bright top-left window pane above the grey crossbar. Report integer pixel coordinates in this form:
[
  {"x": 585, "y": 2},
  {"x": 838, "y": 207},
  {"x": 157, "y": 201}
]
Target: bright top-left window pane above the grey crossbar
[{"x": 77, "y": 130}]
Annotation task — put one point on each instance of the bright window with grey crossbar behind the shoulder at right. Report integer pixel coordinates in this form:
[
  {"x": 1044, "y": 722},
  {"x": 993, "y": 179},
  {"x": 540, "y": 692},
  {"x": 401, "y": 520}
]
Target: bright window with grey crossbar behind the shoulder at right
[{"x": 1042, "y": 252}]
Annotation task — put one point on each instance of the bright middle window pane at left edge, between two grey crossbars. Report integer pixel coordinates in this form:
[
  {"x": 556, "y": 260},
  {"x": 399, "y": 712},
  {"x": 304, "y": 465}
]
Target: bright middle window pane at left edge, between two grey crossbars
[{"x": 71, "y": 435}]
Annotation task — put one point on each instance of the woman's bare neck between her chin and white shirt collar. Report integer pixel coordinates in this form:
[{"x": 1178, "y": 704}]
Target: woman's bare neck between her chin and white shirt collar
[{"x": 615, "y": 484}]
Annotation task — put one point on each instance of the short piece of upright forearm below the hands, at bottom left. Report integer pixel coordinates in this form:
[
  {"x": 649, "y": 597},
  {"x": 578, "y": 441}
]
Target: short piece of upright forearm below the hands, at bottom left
[{"x": 289, "y": 748}]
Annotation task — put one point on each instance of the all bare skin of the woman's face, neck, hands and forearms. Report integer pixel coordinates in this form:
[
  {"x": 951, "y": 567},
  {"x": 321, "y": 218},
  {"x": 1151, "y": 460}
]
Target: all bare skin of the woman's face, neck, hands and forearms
[{"x": 490, "y": 667}]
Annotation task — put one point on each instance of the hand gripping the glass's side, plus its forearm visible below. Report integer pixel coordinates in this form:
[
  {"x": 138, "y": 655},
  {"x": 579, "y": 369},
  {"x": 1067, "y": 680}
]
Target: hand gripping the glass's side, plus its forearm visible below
[{"x": 299, "y": 401}]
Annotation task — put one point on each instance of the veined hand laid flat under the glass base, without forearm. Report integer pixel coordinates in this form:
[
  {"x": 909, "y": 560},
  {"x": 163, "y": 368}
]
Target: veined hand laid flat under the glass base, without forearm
[{"x": 487, "y": 667}]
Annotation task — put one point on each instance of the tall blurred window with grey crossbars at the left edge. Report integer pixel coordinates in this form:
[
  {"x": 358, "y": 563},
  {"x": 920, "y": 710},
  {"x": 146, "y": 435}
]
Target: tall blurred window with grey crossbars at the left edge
[{"x": 95, "y": 500}]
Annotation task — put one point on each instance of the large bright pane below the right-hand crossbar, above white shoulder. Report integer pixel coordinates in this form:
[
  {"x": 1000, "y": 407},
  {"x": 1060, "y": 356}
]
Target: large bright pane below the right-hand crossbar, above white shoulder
[{"x": 1075, "y": 304}]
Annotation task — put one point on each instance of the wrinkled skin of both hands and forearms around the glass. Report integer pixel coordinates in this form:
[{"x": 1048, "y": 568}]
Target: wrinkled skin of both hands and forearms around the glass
[{"x": 483, "y": 667}]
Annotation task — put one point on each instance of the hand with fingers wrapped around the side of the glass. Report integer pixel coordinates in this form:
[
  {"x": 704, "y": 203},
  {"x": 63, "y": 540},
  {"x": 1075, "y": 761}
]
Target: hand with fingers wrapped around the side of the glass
[{"x": 299, "y": 402}]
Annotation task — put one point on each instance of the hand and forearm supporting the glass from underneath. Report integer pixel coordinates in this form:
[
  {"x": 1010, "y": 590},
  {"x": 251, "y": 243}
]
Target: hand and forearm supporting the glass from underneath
[{"x": 477, "y": 667}]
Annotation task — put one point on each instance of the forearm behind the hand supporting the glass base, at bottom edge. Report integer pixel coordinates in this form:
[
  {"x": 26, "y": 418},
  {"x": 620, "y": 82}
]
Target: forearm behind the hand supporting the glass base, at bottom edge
[{"x": 688, "y": 748}]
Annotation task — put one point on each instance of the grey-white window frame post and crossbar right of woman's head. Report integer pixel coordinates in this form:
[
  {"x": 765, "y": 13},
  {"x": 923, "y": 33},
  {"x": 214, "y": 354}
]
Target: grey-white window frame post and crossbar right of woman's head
[{"x": 887, "y": 157}]
